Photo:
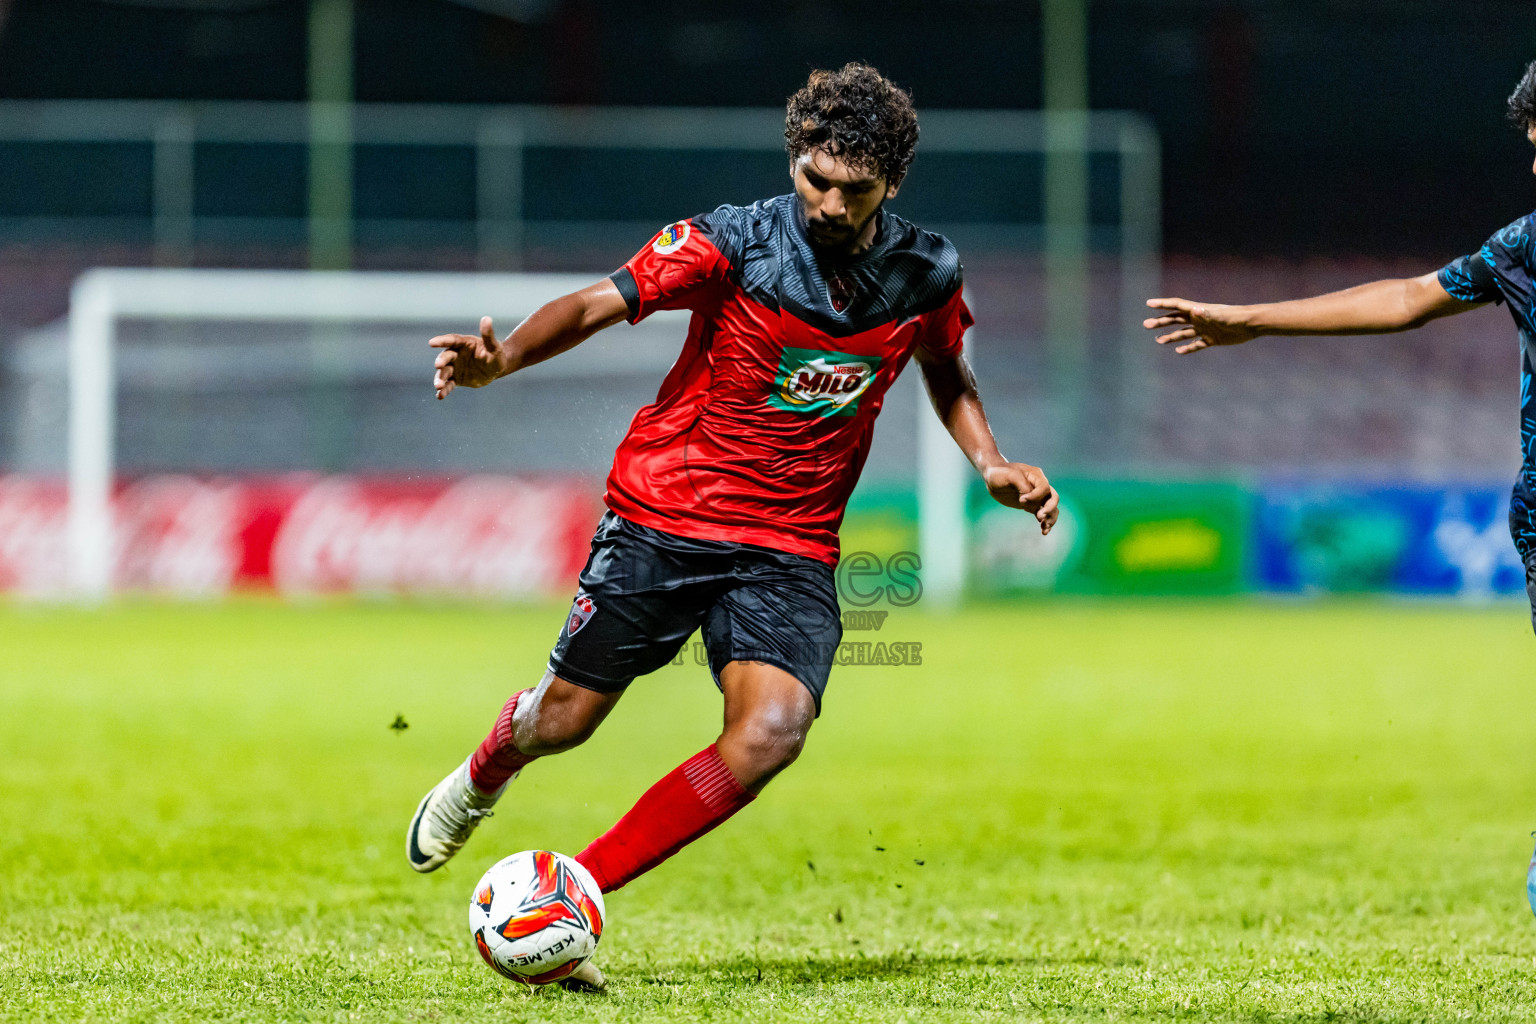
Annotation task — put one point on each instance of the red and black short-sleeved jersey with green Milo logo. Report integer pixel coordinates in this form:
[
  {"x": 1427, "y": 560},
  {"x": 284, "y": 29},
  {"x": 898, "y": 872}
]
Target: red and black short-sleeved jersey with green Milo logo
[{"x": 763, "y": 426}]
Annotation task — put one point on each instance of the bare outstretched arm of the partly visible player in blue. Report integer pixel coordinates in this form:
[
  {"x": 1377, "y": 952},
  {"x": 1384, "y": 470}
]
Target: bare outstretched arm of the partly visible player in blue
[{"x": 1380, "y": 308}]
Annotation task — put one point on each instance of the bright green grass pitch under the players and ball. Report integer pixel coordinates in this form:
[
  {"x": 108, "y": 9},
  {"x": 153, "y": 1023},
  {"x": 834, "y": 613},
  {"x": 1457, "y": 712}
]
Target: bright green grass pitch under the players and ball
[{"x": 1070, "y": 813}]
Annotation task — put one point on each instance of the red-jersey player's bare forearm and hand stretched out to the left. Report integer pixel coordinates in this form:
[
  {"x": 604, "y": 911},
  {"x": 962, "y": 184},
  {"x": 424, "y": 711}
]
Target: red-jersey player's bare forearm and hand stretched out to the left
[{"x": 564, "y": 323}]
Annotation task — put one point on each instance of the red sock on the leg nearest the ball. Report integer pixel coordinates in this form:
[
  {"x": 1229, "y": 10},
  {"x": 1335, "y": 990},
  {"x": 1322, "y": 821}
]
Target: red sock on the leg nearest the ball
[{"x": 689, "y": 802}]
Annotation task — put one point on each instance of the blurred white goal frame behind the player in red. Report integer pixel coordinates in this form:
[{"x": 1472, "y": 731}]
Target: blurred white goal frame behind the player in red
[{"x": 104, "y": 300}]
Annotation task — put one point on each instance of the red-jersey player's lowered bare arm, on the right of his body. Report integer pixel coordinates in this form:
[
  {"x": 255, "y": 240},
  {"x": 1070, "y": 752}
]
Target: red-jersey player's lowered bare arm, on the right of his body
[{"x": 952, "y": 386}]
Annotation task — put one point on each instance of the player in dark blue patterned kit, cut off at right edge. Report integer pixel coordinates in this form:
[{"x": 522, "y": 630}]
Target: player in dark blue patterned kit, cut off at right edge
[{"x": 1503, "y": 271}]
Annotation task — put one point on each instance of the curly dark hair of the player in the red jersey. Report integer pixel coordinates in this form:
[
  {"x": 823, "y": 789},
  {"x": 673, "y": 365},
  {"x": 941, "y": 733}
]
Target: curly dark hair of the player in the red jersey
[{"x": 856, "y": 114}]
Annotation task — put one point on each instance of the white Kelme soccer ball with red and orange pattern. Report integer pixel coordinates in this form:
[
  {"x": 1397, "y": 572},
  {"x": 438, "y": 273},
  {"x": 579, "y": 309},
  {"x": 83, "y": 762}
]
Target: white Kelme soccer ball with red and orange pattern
[{"x": 537, "y": 917}]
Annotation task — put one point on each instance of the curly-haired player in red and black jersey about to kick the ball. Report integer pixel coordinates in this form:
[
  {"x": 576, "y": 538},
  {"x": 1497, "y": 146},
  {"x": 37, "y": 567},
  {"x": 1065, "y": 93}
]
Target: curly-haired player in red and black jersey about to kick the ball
[{"x": 727, "y": 494}]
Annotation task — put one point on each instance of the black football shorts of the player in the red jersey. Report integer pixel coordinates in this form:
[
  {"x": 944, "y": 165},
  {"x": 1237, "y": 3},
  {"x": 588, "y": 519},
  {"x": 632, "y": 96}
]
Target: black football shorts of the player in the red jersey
[{"x": 644, "y": 593}]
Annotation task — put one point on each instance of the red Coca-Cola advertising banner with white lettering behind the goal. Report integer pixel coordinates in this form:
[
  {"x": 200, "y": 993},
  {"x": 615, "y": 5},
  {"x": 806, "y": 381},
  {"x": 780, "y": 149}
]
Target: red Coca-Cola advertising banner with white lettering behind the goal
[{"x": 478, "y": 537}]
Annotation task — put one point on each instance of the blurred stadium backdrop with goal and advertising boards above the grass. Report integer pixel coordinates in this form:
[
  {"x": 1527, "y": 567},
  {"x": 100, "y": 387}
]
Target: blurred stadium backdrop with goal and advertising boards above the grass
[{"x": 1084, "y": 157}]
